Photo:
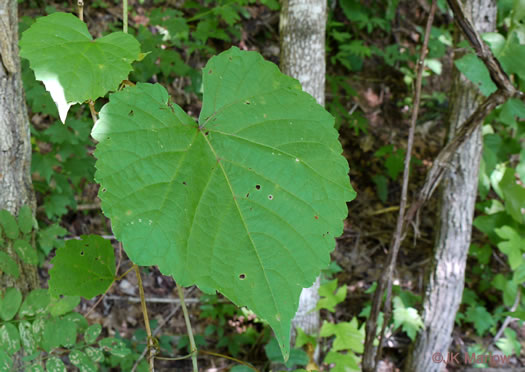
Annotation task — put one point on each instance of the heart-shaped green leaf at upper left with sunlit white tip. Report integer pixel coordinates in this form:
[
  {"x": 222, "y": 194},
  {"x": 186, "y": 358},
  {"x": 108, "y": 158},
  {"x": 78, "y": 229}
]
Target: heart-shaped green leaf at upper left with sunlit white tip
[{"x": 72, "y": 66}]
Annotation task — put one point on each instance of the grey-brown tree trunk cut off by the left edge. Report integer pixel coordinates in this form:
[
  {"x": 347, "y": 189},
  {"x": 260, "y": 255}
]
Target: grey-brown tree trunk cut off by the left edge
[{"x": 15, "y": 143}]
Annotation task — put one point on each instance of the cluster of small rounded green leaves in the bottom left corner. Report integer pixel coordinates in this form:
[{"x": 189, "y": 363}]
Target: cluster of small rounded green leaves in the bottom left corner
[{"x": 40, "y": 323}]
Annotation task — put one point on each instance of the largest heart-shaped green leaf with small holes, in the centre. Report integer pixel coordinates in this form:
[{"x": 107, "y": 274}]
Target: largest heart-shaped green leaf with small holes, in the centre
[{"x": 247, "y": 201}]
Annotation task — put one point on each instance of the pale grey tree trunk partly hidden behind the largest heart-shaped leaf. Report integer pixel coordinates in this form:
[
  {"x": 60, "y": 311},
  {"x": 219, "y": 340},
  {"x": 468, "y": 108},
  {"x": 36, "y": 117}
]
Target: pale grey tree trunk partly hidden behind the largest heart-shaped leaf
[{"x": 302, "y": 30}]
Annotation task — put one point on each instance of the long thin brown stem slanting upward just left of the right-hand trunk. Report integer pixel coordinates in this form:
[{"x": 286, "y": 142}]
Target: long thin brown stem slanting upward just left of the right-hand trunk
[{"x": 370, "y": 363}]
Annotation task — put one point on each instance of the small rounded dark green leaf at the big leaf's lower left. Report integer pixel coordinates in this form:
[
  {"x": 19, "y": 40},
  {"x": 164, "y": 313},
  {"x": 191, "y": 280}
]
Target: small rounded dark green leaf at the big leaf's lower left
[{"x": 83, "y": 267}]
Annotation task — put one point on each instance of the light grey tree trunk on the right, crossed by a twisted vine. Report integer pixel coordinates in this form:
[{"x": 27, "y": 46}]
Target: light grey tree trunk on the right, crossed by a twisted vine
[{"x": 458, "y": 196}]
